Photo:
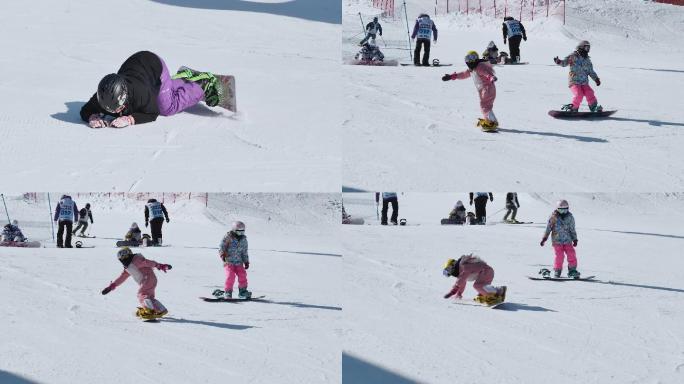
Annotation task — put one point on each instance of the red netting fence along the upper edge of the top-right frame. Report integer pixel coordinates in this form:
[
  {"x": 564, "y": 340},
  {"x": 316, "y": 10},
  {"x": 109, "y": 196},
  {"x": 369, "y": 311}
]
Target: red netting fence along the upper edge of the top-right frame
[{"x": 520, "y": 9}]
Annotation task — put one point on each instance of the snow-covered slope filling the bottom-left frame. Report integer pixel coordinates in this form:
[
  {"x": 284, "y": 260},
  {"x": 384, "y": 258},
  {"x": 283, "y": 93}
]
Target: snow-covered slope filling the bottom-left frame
[{"x": 57, "y": 328}]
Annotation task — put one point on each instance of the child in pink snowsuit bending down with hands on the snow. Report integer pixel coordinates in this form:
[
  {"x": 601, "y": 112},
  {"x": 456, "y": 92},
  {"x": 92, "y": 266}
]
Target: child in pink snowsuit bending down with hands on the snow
[{"x": 472, "y": 268}]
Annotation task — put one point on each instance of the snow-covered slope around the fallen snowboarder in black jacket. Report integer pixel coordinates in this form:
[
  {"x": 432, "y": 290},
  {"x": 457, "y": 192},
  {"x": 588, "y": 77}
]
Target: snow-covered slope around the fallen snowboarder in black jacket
[{"x": 282, "y": 54}]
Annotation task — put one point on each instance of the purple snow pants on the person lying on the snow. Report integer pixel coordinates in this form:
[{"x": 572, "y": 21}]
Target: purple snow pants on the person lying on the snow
[{"x": 176, "y": 95}]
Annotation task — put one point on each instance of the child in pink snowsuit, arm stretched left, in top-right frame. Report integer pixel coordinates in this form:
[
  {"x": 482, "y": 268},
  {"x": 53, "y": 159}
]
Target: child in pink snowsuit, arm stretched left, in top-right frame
[{"x": 484, "y": 78}]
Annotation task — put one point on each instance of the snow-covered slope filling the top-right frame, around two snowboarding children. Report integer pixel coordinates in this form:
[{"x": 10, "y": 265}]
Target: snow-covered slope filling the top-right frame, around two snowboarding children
[{"x": 405, "y": 129}]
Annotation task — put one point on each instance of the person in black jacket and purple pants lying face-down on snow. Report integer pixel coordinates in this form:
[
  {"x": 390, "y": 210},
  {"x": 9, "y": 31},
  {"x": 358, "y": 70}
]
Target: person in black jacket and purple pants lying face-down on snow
[{"x": 142, "y": 89}]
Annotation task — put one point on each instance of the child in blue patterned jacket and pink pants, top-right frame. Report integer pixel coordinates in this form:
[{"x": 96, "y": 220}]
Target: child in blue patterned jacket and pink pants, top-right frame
[{"x": 581, "y": 69}]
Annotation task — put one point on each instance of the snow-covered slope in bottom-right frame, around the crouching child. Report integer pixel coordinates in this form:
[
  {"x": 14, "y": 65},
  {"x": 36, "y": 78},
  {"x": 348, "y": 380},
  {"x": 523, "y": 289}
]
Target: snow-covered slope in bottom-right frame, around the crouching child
[{"x": 623, "y": 328}]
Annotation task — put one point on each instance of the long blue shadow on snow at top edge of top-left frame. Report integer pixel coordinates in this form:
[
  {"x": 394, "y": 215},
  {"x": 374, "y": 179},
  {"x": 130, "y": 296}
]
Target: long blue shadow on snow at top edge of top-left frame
[{"x": 325, "y": 11}]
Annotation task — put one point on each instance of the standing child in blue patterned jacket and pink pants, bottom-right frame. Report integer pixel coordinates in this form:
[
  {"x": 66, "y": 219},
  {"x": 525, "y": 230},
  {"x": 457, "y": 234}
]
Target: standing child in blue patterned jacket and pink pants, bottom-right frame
[{"x": 561, "y": 226}]
